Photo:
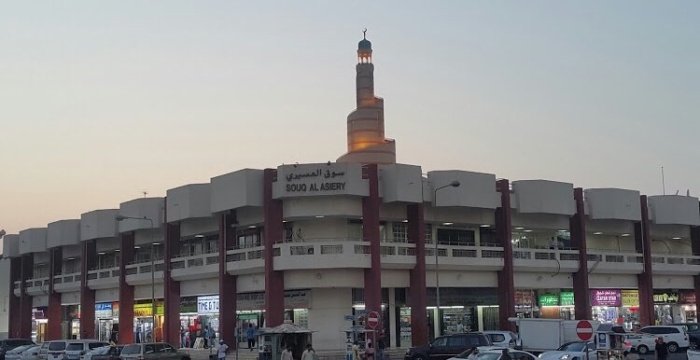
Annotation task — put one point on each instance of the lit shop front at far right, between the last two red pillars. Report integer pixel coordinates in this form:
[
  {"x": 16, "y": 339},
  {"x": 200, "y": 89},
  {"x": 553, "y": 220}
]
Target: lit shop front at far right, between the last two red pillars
[{"x": 674, "y": 306}]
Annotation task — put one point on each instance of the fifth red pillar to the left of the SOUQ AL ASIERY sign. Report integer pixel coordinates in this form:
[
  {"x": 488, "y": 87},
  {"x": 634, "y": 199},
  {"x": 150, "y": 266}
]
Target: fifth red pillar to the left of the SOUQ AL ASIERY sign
[{"x": 87, "y": 295}]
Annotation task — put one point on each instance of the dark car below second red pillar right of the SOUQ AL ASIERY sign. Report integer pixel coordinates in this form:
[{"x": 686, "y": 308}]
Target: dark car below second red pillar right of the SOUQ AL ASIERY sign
[{"x": 445, "y": 347}]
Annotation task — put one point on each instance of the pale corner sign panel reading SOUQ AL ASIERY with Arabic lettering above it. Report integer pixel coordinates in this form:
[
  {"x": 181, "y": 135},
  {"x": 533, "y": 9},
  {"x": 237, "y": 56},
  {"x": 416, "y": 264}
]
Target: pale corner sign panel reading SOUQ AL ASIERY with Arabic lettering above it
[{"x": 303, "y": 180}]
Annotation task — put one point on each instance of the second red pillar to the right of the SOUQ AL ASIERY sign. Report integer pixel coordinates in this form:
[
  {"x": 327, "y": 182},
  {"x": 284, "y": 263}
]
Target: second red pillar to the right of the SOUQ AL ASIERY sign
[{"x": 418, "y": 298}]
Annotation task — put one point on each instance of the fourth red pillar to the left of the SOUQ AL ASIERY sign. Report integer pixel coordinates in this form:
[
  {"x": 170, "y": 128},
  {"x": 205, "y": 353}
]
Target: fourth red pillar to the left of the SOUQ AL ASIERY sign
[{"x": 126, "y": 292}]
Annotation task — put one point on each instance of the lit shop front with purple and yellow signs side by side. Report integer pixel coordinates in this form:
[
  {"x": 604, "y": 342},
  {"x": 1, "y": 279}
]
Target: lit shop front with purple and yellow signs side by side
[{"x": 616, "y": 306}]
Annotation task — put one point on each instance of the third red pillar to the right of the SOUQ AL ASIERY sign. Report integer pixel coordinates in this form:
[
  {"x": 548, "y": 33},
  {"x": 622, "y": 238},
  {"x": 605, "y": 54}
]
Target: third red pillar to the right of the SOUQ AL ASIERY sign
[{"x": 504, "y": 235}]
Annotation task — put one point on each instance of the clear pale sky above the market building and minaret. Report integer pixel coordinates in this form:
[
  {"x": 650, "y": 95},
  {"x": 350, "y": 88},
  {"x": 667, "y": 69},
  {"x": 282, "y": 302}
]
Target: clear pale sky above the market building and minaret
[{"x": 101, "y": 100}]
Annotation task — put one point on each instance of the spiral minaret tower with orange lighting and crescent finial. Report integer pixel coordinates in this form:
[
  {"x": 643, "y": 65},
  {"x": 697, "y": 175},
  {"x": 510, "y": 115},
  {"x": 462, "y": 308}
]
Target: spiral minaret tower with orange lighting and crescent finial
[{"x": 366, "y": 141}]
